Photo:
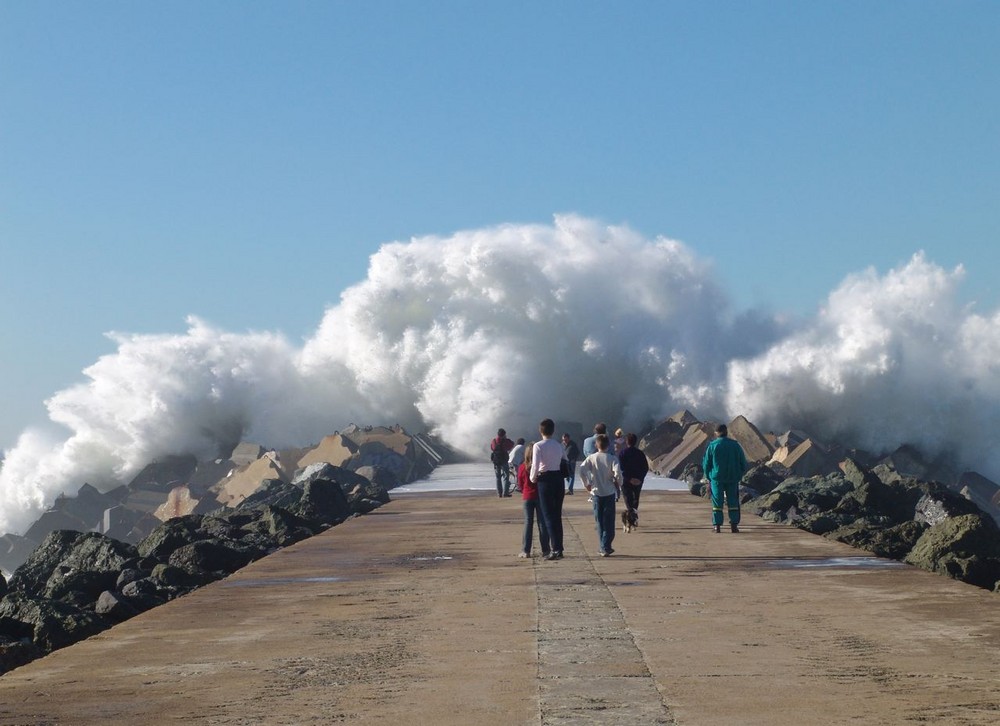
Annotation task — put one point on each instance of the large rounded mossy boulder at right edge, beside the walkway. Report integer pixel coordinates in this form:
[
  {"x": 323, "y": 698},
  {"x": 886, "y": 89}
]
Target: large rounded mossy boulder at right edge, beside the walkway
[{"x": 966, "y": 548}]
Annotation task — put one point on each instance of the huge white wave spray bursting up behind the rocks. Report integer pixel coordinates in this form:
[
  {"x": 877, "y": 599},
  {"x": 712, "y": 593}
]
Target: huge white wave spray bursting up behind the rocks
[{"x": 507, "y": 325}]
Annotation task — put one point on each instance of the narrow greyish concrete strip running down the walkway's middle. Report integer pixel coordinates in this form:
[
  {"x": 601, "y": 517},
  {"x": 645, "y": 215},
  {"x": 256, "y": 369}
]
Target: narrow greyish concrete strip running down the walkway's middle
[{"x": 590, "y": 670}]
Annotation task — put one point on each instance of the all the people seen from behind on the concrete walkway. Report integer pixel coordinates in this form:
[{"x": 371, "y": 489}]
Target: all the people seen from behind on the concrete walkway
[{"x": 546, "y": 472}]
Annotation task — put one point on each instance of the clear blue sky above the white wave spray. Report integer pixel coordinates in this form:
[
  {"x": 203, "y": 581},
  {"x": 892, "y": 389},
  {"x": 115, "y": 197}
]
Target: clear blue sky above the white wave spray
[{"x": 240, "y": 161}]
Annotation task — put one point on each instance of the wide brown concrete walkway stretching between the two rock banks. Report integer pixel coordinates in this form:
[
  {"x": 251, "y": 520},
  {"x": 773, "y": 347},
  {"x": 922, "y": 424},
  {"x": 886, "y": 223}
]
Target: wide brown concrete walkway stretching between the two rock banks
[{"x": 421, "y": 613}]
